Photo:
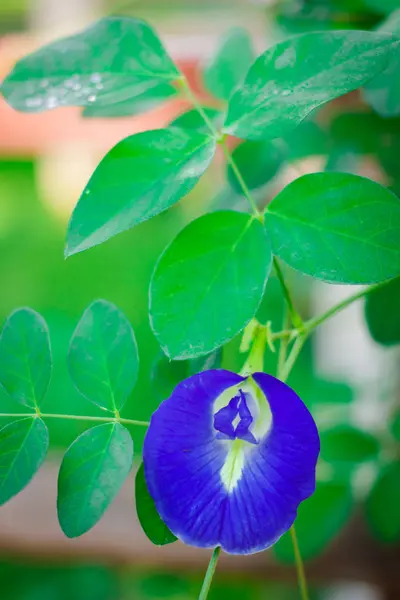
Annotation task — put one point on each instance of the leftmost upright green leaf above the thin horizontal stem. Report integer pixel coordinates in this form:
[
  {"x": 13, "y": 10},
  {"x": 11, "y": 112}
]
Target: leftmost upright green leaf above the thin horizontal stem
[{"x": 25, "y": 357}]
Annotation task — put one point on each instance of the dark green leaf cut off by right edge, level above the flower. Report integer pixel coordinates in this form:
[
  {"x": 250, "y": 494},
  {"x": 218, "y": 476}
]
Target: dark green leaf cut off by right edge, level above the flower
[{"x": 382, "y": 312}]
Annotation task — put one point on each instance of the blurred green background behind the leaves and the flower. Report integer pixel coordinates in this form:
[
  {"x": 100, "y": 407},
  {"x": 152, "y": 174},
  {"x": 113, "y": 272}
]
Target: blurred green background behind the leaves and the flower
[{"x": 350, "y": 529}]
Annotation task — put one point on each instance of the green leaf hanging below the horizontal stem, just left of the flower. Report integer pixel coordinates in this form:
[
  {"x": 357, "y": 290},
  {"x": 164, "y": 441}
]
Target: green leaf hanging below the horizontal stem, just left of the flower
[{"x": 92, "y": 472}]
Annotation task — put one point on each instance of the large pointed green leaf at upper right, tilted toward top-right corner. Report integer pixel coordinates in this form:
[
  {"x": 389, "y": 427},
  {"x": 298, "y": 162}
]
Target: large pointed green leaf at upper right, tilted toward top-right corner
[{"x": 296, "y": 76}]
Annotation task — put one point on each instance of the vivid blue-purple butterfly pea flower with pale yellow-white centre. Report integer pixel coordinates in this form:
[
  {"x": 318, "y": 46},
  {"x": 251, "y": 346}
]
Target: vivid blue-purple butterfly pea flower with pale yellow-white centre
[{"x": 228, "y": 459}]
